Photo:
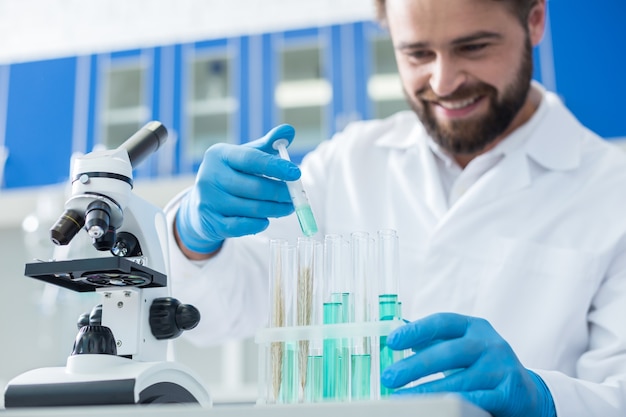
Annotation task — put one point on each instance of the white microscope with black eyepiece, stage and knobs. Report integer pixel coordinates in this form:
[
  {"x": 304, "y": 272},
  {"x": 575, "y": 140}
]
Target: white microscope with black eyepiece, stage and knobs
[{"x": 120, "y": 352}]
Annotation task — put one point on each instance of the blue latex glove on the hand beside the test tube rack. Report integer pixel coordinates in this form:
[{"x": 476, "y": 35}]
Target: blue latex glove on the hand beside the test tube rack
[{"x": 486, "y": 373}]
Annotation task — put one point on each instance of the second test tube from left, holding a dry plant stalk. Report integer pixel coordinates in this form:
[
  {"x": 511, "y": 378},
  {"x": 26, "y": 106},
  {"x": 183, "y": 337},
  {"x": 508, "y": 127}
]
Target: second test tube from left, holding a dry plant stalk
[{"x": 310, "y": 312}]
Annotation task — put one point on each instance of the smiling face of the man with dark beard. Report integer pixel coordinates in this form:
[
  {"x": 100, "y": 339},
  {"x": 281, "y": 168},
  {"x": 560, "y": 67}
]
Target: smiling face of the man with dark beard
[{"x": 466, "y": 67}]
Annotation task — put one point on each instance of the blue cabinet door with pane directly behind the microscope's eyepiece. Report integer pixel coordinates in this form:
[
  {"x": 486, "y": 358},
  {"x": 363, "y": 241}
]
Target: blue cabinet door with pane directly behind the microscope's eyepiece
[{"x": 132, "y": 88}]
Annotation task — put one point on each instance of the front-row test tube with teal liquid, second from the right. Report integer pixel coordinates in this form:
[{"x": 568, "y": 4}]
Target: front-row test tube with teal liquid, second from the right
[{"x": 360, "y": 351}]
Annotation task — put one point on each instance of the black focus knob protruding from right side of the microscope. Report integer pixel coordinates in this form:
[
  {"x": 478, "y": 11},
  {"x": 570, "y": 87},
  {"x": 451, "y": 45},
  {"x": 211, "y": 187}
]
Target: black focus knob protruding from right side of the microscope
[{"x": 168, "y": 318}]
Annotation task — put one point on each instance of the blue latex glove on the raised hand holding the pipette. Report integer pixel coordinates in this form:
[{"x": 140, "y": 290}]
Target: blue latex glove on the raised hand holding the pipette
[{"x": 237, "y": 188}]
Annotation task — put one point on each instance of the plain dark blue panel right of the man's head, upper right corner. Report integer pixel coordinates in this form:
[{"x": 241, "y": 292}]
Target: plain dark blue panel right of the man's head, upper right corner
[{"x": 589, "y": 42}]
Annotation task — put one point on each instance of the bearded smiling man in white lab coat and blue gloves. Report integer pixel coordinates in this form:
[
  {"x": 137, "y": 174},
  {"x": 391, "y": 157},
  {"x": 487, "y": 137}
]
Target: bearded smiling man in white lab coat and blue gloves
[{"x": 511, "y": 217}]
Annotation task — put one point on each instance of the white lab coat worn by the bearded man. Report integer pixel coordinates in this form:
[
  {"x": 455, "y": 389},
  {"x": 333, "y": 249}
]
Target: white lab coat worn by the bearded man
[{"x": 537, "y": 246}]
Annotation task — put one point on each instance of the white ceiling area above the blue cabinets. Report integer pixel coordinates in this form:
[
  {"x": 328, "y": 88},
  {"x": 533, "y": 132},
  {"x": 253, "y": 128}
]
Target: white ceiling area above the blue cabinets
[{"x": 38, "y": 29}]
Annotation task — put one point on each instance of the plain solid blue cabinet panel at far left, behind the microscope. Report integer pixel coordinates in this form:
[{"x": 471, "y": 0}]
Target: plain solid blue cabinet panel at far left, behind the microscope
[{"x": 40, "y": 122}]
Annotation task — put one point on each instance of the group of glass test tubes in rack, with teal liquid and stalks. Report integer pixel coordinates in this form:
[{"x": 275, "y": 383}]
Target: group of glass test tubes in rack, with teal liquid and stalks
[{"x": 332, "y": 303}]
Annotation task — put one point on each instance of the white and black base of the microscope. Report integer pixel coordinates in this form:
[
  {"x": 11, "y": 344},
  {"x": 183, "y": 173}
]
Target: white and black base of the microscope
[{"x": 105, "y": 380}]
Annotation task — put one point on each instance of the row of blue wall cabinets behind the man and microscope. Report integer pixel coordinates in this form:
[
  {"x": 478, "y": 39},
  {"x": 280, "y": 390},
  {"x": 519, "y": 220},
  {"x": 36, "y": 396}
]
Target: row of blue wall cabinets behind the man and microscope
[{"x": 235, "y": 89}]
